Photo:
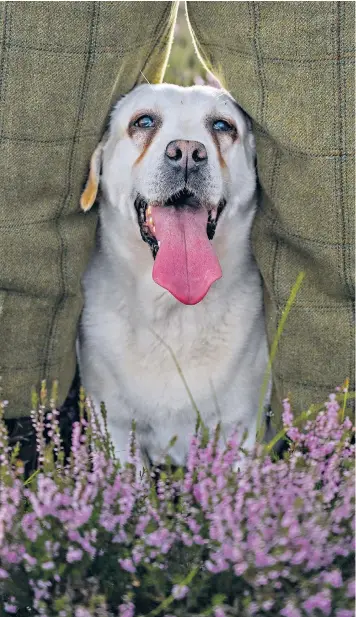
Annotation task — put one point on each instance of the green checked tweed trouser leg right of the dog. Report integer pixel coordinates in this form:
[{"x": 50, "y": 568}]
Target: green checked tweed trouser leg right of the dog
[{"x": 290, "y": 65}]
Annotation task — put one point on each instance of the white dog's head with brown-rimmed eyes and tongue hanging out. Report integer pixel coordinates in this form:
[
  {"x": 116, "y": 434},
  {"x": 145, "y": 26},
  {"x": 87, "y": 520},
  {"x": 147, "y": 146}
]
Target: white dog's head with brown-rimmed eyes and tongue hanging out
[{"x": 173, "y": 160}]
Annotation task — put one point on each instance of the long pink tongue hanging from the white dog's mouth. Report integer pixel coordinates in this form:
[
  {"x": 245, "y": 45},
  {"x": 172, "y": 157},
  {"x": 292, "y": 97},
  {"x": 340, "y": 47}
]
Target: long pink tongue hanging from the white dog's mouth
[{"x": 186, "y": 264}]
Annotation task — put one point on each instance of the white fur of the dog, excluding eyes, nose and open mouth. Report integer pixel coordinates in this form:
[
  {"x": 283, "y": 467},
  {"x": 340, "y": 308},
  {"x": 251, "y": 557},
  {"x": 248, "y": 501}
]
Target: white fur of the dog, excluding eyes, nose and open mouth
[{"x": 220, "y": 343}]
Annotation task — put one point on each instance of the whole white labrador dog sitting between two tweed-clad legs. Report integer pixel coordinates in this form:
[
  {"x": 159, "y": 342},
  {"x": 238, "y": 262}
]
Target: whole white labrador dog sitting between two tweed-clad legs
[{"x": 173, "y": 271}]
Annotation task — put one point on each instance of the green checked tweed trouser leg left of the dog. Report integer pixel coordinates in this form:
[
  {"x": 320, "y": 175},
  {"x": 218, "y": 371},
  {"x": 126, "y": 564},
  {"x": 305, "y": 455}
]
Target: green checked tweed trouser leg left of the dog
[{"x": 62, "y": 65}]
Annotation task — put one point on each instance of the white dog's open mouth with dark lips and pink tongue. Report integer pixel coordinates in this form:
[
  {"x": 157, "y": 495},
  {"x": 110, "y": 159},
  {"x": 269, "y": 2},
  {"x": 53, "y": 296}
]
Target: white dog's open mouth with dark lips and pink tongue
[{"x": 179, "y": 233}]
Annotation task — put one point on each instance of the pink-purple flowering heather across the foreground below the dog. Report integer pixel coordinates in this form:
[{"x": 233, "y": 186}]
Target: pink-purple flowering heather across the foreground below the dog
[{"x": 85, "y": 536}]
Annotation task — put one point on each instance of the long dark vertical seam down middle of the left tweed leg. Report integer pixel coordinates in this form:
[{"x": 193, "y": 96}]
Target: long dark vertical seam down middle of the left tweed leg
[{"x": 62, "y": 266}]
